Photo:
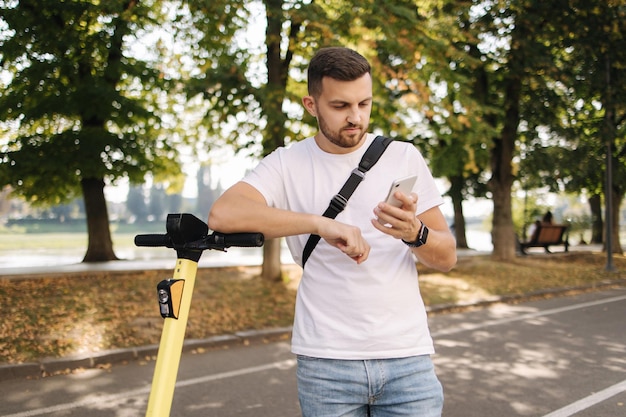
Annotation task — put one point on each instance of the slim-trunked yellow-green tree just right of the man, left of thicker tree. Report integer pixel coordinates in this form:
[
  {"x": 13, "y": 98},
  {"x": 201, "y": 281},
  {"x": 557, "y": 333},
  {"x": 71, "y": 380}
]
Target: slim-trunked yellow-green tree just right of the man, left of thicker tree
[{"x": 462, "y": 118}]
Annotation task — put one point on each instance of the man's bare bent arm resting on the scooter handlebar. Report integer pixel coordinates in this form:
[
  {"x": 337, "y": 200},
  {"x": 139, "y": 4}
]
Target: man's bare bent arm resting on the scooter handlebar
[{"x": 242, "y": 208}]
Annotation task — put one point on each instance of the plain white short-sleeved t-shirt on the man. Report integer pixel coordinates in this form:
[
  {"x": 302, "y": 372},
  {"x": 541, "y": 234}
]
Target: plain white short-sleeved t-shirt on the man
[{"x": 343, "y": 310}]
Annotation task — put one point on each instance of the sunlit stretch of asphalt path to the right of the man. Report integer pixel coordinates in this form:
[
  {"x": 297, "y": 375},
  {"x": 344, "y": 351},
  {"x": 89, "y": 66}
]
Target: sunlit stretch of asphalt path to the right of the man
[{"x": 535, "y": 358}]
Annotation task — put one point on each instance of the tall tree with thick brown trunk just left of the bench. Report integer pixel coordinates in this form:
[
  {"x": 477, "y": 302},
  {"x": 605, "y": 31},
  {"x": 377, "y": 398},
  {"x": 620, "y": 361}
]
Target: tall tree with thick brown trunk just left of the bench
[{"x": 518, "y": 41}]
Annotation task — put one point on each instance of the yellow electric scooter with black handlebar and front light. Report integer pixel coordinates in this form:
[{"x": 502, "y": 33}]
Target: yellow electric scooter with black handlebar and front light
[{"x": 189, "y": 236}]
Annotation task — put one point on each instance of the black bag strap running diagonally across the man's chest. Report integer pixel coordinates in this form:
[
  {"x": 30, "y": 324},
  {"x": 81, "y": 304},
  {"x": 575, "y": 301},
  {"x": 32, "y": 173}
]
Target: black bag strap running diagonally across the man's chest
[{"x": 340, "y": 200}]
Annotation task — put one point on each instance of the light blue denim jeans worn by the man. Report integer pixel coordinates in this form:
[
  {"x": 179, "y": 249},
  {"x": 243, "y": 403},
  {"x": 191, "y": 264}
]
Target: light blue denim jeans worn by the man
[{"x": 369, "y": 388}]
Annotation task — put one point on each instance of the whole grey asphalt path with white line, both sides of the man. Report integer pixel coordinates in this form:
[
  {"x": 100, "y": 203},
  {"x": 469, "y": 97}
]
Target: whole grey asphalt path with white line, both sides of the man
[{"x": 557, "y": 357}]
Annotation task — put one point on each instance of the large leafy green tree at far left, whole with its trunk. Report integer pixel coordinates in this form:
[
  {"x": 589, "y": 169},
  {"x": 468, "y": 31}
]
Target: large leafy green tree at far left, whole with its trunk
[{"x": 75, "y": 105}]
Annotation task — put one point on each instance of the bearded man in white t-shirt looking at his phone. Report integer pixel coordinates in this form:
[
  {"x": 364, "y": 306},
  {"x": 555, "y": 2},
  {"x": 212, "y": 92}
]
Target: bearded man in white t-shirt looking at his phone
[{"x": 360, "y": 331}]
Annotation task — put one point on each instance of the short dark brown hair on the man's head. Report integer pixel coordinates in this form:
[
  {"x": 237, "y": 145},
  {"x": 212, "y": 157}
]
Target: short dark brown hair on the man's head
[{"x": 336, "y": 62}]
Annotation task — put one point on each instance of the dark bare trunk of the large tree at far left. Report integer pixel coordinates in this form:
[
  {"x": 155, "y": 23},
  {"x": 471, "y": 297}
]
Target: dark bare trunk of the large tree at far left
[{"x": 100, "y": 245}]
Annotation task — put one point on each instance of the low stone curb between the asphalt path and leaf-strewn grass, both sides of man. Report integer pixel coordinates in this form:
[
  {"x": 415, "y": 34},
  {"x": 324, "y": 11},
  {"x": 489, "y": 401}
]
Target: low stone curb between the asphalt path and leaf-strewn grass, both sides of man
[{"x": 54, "y": 366}]
